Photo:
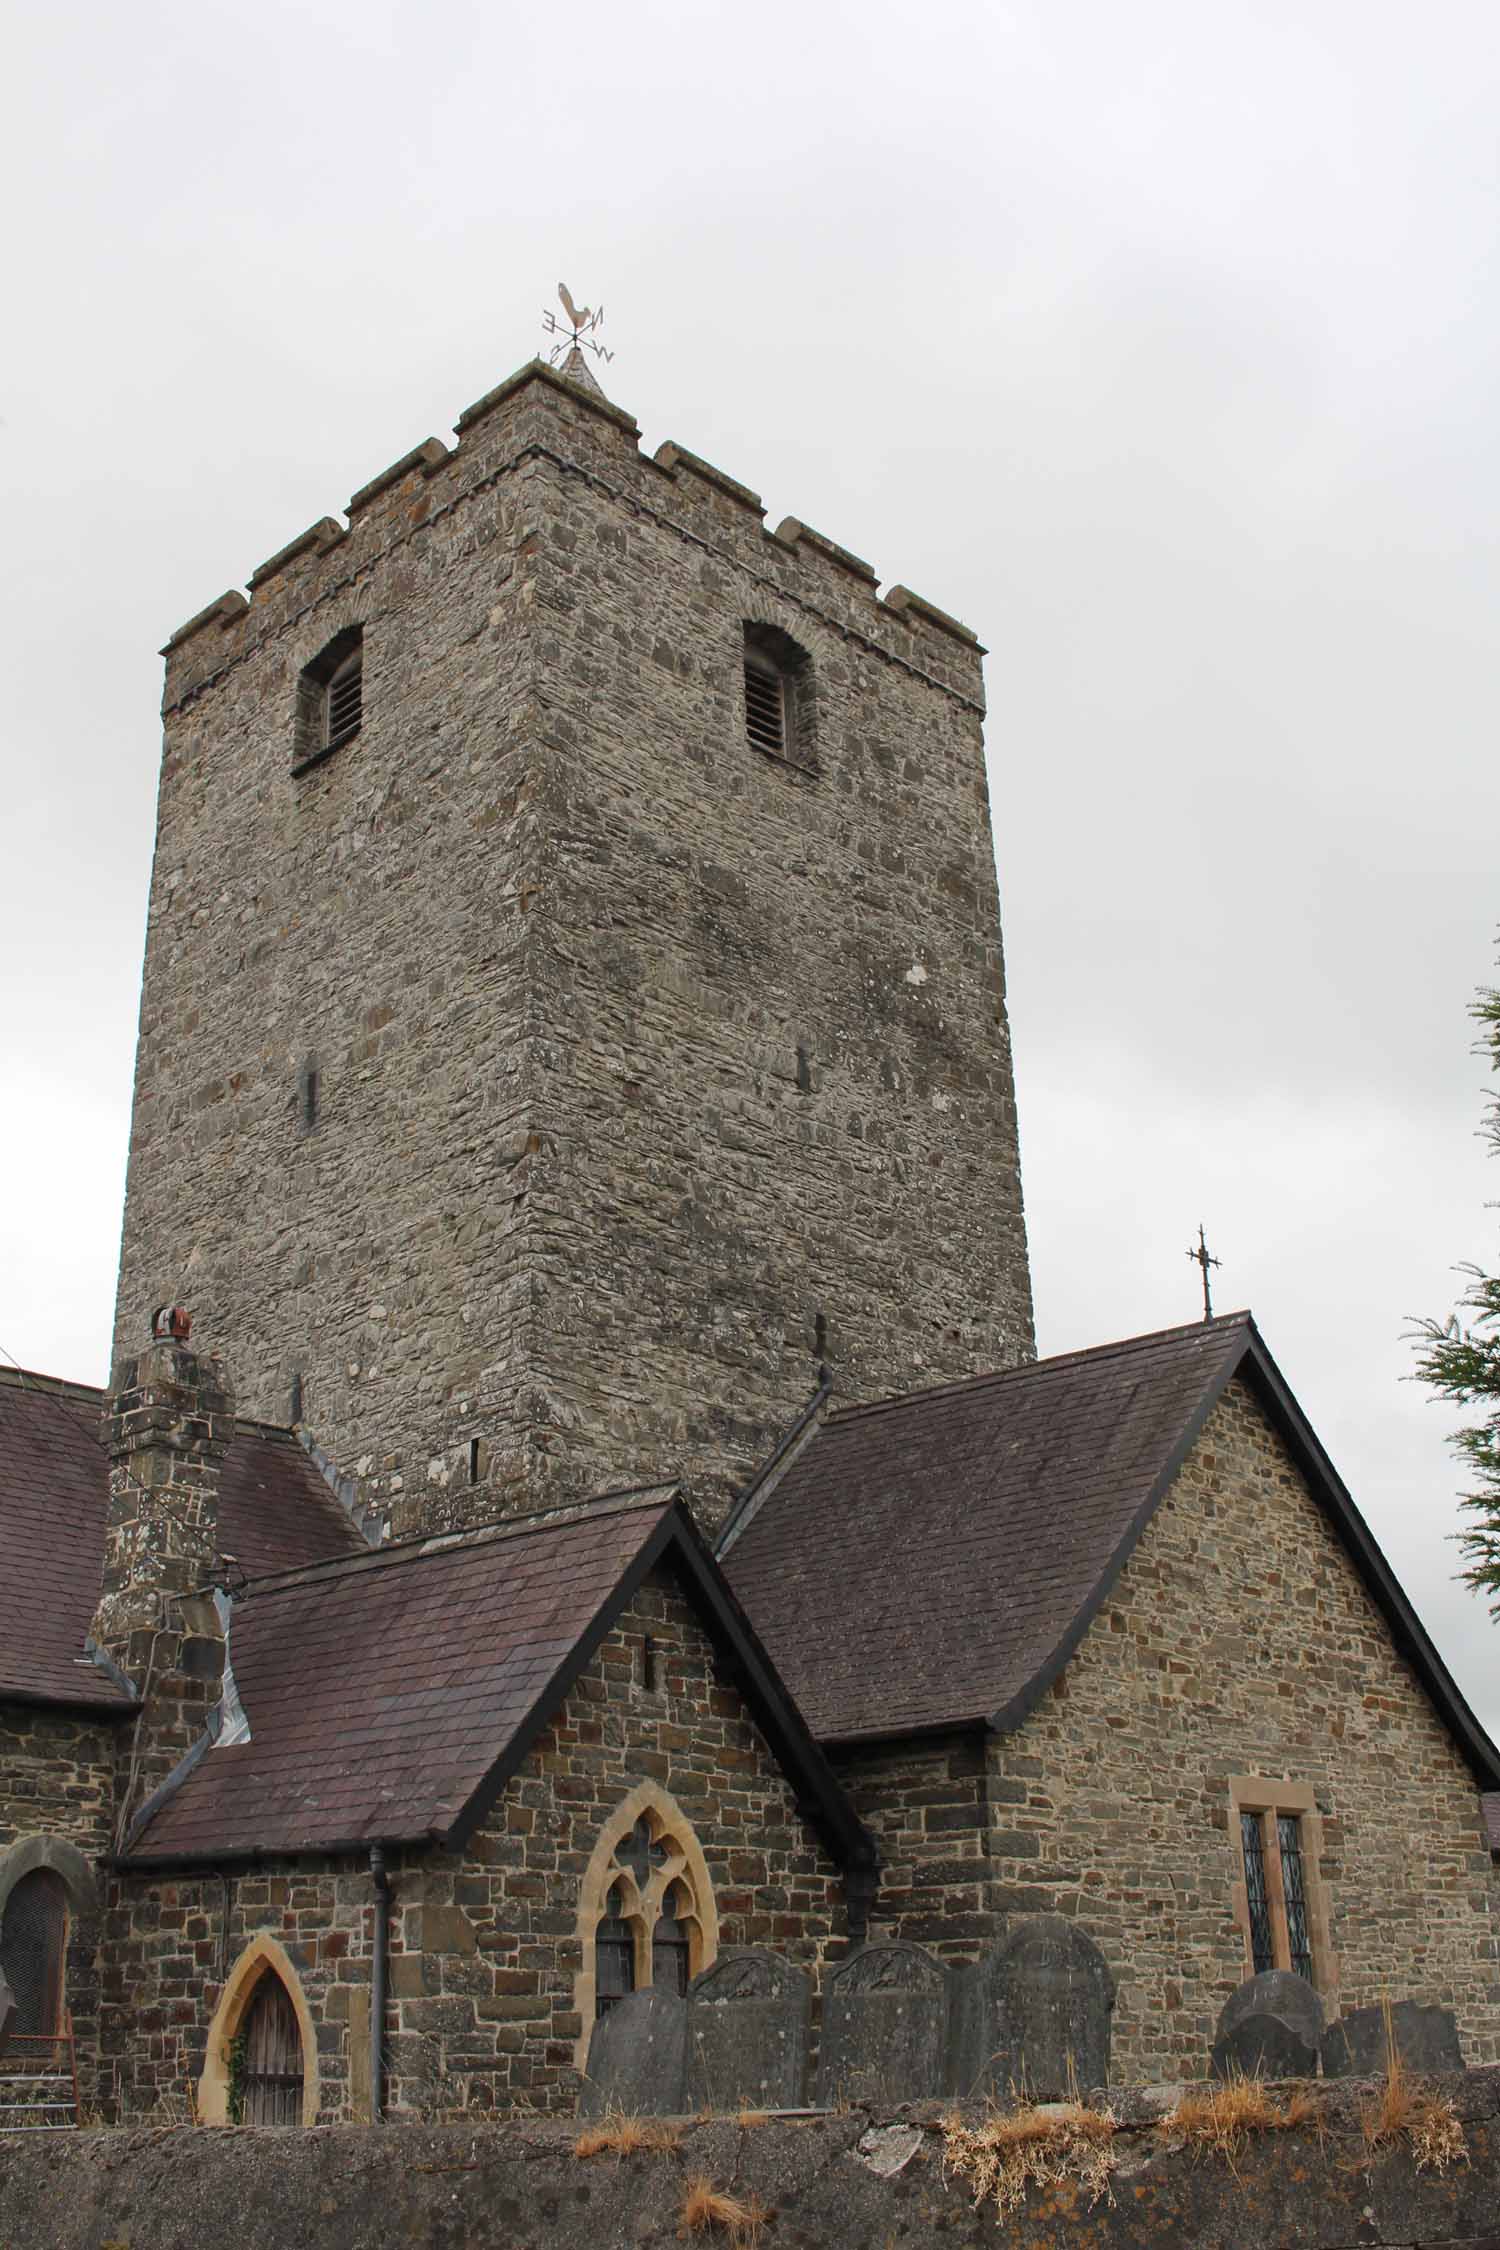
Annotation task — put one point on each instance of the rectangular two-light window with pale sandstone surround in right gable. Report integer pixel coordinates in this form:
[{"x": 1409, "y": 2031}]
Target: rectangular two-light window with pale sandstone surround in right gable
[{"x": 1281, "y": 1902}]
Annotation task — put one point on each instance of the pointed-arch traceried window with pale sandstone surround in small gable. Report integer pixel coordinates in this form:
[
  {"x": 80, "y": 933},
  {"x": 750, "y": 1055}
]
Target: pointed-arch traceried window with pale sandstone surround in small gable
[{"x": 647, "y": 1909}]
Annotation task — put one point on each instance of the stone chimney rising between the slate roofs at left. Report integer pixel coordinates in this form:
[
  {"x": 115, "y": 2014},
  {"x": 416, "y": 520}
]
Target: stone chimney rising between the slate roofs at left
[{"x": 170, "y": 1423}]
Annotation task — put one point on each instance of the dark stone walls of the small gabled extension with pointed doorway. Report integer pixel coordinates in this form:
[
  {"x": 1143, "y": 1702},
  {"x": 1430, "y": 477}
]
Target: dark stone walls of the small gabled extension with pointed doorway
[{"x": 485, "y": 1947}]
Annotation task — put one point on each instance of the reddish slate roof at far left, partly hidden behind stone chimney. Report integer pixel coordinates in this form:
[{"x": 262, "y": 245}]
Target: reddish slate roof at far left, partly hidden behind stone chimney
[{"x": 275, "y": 1513}]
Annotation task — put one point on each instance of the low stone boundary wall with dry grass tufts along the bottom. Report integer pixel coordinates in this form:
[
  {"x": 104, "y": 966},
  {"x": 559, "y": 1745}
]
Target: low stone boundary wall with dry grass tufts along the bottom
[{"x": 826, "y": 2181}]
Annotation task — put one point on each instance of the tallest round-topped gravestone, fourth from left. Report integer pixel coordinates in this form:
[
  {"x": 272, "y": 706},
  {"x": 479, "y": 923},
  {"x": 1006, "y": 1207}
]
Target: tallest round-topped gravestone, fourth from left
[{"x": 1033, "y": 2019}]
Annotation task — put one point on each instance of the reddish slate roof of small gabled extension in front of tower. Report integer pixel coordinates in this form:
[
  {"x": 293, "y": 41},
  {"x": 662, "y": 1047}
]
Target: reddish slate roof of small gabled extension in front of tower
[{"x": 390, "y": 1698}]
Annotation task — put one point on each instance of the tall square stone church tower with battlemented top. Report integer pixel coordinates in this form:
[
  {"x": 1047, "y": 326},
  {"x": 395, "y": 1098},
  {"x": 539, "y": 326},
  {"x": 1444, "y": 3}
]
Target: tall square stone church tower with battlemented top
[{"x": 575, "y": 1005}]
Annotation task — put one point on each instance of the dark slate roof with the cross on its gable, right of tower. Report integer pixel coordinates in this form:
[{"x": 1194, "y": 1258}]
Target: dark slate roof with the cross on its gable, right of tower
[{"x": 934, "y": 1560}]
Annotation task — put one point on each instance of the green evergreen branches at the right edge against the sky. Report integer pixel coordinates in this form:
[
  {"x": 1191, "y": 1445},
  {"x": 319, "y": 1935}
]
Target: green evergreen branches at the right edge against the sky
[{"x": 1461, "y": 1360}]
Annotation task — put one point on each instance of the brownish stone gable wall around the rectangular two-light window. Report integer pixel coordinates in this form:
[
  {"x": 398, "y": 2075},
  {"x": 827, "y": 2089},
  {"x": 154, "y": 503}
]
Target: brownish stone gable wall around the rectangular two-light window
[{"x": 1243, "y": 1644}]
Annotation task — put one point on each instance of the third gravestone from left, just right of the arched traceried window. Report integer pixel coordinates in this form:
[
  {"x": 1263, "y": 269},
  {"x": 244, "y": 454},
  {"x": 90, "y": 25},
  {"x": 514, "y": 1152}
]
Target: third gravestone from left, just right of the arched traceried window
[{"x": 885, "y": 2026}]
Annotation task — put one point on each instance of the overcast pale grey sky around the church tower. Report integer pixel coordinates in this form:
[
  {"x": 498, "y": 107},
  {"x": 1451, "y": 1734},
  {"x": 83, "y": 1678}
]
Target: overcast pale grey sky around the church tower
[{"x": 1159, "y": 343}]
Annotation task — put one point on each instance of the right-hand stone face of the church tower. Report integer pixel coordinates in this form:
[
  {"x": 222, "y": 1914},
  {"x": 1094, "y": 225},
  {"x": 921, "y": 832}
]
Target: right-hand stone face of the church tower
[{"x": 775, "y": 1079}]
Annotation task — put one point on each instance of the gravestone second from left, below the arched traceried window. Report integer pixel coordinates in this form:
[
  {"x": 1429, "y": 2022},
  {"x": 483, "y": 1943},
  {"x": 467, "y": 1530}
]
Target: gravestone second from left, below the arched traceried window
[{"x": 748, "y": 2033}]
